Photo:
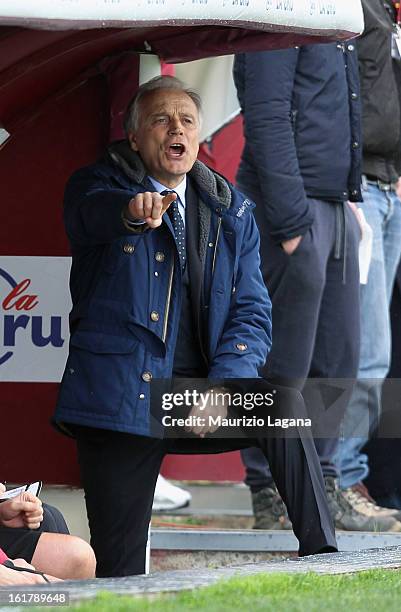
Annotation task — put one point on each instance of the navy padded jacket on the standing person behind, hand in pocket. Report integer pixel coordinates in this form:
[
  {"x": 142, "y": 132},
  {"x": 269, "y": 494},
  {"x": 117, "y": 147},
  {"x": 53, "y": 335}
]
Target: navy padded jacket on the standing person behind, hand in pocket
[{"x": 302, "y": 129}]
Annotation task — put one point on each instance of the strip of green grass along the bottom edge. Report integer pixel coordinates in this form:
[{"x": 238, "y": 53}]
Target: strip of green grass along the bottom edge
[{"x": 378, "y": 591}]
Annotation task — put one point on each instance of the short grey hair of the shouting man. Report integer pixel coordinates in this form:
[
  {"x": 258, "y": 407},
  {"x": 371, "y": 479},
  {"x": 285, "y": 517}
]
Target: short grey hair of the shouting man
[{"x": 131, "y": 119}]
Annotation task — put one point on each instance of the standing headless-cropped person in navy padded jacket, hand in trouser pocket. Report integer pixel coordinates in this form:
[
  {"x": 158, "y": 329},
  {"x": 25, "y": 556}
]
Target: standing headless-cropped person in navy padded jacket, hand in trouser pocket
[{"x": 301, "y": 164}]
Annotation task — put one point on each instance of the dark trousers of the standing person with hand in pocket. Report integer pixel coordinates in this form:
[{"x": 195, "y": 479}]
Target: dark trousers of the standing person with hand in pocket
[{"x": 315, "y": 312}]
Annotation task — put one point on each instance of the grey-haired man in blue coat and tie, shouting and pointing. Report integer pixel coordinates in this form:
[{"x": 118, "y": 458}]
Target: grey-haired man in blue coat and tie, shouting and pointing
[{"x": 163, "y": 284}]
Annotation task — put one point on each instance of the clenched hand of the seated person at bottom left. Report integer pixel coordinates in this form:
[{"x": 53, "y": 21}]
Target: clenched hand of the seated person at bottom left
[{"x": 22, "y": 511}]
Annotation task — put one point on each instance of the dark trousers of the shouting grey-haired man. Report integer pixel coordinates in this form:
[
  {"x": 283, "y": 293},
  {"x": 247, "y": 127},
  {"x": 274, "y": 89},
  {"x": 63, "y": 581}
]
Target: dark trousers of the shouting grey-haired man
[{"x": 119, "y": 473}]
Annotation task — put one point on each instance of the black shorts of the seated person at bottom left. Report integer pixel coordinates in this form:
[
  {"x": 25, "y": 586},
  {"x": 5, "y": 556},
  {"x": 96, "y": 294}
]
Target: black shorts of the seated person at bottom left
[{"x": 21, "y": 543}]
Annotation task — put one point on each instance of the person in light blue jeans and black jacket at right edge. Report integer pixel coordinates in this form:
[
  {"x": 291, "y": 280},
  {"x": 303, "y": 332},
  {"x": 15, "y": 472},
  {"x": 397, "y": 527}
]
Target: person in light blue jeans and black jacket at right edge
[{"x": 380, "y": 76}]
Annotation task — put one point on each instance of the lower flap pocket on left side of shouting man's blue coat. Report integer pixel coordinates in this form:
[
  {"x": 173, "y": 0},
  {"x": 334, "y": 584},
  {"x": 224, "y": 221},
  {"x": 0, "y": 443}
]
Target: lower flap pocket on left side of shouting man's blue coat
[{"x": 96, "y": 374}]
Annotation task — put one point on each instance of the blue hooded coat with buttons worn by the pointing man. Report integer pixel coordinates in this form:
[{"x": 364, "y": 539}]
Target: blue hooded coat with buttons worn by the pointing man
[{"x": 126, "y": 291}]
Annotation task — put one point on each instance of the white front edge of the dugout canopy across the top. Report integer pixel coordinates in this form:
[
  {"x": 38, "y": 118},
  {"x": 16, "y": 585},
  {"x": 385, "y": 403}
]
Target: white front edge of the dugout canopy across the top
[{"x": 318, "y": 17}]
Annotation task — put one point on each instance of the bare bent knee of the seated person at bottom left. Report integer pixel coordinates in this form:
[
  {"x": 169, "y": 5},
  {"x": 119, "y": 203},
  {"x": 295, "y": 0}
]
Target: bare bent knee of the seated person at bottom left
[{"x": 64, "y": 556}]
